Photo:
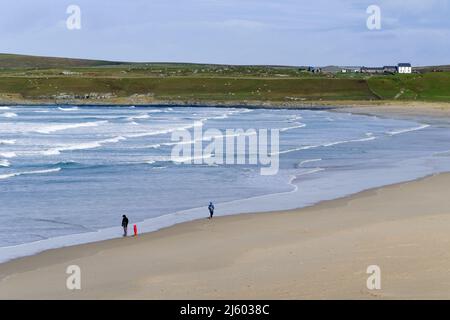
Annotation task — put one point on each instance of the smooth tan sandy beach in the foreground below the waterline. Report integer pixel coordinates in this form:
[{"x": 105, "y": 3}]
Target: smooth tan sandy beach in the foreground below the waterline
[{"x": 321, "y": 252}]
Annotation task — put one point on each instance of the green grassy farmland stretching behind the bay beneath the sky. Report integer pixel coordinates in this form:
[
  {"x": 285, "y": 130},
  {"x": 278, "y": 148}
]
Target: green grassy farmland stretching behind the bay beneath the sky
[{"x": 43, "y": 79}]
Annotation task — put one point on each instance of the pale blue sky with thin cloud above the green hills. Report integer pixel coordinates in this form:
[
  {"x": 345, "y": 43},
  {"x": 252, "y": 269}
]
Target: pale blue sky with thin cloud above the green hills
[{"x": 274, "y": 32}]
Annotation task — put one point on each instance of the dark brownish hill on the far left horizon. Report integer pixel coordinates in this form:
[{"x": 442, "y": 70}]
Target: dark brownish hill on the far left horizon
[{"x": 24, "y": 61}]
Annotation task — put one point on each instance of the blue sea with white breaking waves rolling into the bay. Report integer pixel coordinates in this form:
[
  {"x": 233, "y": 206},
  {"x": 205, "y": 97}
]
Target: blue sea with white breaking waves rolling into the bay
[{"x": 69, "y": 173}]
